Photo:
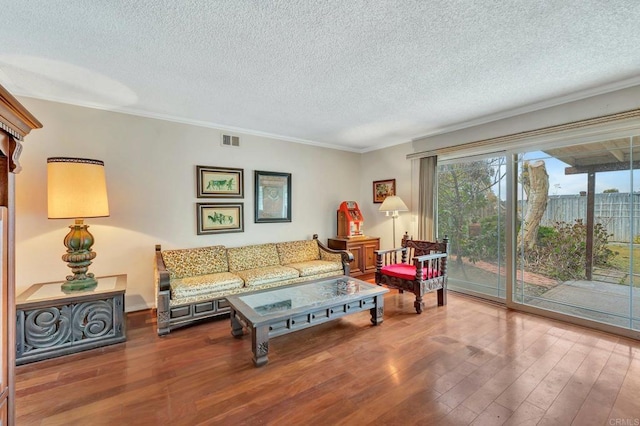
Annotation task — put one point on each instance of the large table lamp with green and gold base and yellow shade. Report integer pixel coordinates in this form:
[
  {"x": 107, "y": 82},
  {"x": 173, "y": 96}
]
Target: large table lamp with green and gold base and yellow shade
[{"x": 77, "y": 189}]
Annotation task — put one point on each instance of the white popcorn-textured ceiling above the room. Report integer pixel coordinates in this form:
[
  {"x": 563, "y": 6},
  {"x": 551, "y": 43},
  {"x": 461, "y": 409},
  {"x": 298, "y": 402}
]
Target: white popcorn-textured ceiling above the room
[{"x": 355, "y": 75}]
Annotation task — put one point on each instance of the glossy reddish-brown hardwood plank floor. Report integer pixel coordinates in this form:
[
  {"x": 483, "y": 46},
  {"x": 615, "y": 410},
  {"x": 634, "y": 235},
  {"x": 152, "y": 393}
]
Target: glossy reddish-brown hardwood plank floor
[{"x": 469, "y": 362}]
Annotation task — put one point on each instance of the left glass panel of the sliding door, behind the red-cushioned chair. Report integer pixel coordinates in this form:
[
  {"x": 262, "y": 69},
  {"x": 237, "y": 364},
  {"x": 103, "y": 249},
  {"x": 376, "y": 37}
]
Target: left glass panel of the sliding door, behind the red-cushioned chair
[{"x": 471, "y": 212}]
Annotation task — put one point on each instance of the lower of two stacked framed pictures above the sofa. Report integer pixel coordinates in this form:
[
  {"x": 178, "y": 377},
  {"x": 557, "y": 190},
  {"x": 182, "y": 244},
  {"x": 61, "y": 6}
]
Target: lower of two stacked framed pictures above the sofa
[{"x": 215, "y": 218}]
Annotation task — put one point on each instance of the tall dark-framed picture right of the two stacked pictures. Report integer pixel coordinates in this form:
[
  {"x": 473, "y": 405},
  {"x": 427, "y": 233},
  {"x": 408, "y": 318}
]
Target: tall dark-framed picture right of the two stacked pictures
[{"x": 273, "y": 197}]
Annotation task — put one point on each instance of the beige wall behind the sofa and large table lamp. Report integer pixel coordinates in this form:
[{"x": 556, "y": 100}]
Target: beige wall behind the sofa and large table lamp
[{"x": 150, "y": 168}]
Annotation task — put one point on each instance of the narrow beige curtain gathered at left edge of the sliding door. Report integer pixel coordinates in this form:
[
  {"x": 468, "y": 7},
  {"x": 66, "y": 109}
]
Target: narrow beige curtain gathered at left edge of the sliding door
[{"x": 428, "y": 198}]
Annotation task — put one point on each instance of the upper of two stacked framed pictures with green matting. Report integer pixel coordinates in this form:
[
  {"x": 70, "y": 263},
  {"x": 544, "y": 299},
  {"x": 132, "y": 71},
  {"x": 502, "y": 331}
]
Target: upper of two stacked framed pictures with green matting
[{"x": 219, "y": 182}]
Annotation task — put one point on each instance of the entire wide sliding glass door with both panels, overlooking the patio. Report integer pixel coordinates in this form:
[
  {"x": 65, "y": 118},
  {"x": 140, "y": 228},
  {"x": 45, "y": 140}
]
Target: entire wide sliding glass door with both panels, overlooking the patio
[{"x": 550, "y": 224}]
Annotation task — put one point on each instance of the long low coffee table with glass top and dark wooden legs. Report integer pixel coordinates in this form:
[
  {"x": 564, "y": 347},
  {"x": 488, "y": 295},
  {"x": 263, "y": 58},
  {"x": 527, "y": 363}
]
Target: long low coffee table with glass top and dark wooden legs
[{"x": 282, "y": 310}]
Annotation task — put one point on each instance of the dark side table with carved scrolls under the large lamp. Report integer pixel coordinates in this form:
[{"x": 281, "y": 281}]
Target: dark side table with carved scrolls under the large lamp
[{"x": 51, "y": 323}]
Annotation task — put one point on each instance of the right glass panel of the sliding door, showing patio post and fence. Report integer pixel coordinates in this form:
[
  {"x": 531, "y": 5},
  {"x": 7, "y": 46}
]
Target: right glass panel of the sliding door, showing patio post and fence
[{"x": 578, "y": 231}]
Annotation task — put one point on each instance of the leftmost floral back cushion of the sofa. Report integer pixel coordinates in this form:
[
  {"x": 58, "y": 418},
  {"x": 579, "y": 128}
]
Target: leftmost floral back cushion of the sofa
[{"x": 196, "y": 261}]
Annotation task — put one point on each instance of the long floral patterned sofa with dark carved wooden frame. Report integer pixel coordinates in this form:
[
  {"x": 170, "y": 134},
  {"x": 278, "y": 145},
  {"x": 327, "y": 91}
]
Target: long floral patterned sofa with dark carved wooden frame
[{"x": 191, "y": 284}]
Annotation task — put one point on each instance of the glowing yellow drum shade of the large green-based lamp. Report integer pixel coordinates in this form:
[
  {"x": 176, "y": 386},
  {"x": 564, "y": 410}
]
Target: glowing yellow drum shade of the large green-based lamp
[{"x": 76, "y": 188}]
